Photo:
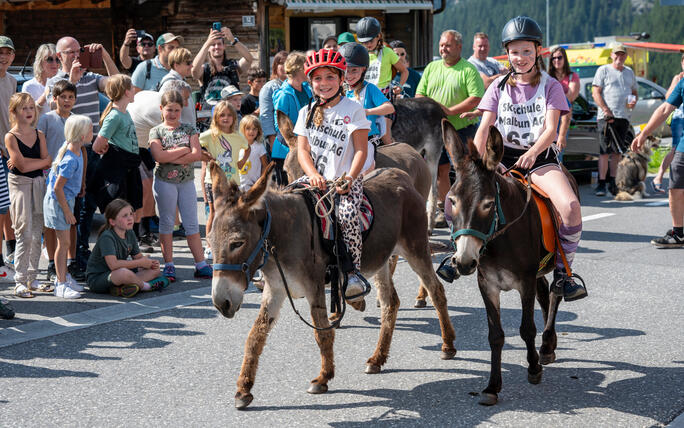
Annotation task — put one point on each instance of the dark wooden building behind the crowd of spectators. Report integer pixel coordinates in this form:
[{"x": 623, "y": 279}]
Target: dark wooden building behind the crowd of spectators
[{"x": 264, "y": 26}]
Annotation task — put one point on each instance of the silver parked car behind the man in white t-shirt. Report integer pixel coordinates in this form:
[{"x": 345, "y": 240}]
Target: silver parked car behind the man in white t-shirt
[{"x": 650, "y": 97}]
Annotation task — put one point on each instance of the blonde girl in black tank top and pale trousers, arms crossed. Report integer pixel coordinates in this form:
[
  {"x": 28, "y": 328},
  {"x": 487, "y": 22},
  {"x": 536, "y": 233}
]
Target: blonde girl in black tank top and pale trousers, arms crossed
[{"x": 28, "y": 158}]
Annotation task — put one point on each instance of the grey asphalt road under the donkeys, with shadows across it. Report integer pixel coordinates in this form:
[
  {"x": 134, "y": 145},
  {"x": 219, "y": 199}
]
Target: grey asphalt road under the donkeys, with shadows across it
[{"x": 169, "y": 359}]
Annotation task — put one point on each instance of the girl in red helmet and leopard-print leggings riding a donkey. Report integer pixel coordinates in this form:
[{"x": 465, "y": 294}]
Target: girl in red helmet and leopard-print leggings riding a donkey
[{"x": 333, "y": 140}]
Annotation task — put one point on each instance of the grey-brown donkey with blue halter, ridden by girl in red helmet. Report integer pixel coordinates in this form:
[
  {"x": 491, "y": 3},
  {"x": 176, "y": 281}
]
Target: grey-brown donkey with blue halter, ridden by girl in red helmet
[{"x": 240, "y": 226}]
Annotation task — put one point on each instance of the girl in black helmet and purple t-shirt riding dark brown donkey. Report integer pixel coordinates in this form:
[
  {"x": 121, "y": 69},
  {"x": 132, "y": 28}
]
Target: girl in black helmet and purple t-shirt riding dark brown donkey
[{"x": 520, "y": 105}]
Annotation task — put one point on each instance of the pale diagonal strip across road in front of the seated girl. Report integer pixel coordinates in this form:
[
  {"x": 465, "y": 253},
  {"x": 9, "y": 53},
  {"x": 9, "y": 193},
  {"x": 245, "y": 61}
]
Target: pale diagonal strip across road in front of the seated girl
[{"x": 80, "y": 320}]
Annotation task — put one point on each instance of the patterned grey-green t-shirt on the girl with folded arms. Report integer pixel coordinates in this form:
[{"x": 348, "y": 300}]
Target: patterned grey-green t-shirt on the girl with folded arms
[{"x": 170, "y": 139}]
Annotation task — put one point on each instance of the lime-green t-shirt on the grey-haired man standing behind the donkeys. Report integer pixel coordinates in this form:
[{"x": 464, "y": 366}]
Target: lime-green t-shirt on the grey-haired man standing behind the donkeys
[{"x": 451, "y": 85}]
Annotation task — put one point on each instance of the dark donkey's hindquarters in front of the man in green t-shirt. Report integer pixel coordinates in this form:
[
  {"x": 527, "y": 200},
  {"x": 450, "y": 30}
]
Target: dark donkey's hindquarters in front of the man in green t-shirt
[{"x": 418, "y": 124}]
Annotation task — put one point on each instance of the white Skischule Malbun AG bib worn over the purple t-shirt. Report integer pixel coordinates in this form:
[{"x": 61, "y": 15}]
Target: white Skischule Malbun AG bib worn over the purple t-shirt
[{"x": 522, "y": 124}]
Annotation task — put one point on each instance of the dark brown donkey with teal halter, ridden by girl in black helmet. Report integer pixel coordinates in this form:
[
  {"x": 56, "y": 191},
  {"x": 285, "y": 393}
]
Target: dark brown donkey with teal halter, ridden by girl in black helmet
[{"x": 511, "y": 260}]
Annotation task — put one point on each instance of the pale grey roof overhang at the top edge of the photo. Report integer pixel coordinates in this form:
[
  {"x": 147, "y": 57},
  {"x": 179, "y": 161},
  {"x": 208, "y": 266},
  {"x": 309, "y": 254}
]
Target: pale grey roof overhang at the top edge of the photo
[{"x": 389, "y": 6}]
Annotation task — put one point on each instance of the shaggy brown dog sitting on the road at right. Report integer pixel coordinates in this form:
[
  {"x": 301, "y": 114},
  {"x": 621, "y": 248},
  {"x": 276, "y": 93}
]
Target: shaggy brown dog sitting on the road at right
[{"x": 632, "y": 171}]
